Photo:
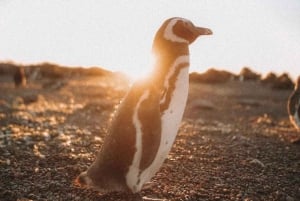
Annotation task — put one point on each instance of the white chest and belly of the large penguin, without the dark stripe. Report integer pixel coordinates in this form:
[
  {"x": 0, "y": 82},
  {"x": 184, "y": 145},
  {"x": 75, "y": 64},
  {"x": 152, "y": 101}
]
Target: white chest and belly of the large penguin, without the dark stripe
[{"x": 171, "y": 118}]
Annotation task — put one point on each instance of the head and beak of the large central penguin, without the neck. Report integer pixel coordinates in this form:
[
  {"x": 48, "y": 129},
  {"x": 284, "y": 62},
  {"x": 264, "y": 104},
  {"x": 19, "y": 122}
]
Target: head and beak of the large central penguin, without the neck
[{"x": 181, "y": 30}]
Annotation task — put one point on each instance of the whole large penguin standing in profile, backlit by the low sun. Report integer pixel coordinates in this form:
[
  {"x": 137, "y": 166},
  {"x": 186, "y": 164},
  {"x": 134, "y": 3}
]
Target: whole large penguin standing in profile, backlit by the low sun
[{"x": 146, "y": 122}]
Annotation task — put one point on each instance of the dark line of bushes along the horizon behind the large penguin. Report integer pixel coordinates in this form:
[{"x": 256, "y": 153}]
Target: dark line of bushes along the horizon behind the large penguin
[{"x": 212, "y": 75}]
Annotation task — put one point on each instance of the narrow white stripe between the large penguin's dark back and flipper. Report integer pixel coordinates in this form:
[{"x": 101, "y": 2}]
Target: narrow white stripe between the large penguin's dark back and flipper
[{"x": 132, "y": 176}]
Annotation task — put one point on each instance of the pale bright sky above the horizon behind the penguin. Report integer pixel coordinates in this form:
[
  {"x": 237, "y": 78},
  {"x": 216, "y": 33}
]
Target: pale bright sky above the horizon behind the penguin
[{"x": 117, "y": 35}]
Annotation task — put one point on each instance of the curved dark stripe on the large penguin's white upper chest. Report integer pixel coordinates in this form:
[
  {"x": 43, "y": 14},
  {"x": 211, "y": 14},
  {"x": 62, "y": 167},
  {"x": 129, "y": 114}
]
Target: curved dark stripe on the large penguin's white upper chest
[{"x": 170, "y": 88}]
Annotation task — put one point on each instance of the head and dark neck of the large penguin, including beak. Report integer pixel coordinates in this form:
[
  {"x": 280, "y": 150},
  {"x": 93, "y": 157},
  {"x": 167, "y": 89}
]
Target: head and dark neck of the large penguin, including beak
[{"x": 171, "y": 41}]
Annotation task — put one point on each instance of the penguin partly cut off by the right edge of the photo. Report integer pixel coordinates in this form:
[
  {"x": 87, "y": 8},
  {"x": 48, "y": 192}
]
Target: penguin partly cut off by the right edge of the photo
[{"x": 294, "y": 105}]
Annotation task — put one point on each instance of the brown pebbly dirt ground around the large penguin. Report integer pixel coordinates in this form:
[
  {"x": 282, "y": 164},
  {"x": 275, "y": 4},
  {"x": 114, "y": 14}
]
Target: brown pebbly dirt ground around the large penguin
[{"x": 235, "y": 142}]
